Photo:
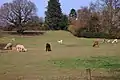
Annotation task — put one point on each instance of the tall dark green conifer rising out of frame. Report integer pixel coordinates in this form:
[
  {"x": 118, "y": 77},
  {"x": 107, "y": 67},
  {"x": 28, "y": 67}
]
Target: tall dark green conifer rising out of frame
[{"x": 54, "y": 14}]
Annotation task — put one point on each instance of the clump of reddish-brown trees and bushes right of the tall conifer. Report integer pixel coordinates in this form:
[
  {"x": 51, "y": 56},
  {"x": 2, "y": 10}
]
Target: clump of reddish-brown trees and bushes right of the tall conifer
[{"x": 100, "y": 19}]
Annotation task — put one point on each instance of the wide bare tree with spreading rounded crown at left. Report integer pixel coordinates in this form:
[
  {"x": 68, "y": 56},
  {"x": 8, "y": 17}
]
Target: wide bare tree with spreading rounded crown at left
[{"x": 17, "y": 13}]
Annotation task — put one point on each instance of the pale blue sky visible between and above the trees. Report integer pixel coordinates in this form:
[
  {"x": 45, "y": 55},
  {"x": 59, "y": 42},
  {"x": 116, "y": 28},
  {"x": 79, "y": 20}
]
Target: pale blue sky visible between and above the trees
[{"x": 66, "y": 5}]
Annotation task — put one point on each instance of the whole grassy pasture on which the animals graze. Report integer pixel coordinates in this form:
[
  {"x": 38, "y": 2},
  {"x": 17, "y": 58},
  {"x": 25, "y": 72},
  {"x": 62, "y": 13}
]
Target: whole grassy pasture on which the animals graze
[{"x": 66, "y": 62}]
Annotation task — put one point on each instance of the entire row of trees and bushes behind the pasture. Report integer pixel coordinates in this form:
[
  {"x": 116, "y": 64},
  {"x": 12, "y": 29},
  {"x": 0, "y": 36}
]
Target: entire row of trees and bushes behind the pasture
[{"x": 99, "y": 19}]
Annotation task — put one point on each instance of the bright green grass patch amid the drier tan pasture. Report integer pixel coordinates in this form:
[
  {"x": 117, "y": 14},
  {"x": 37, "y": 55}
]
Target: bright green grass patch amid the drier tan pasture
[{"x": 112, "y": 62}]
